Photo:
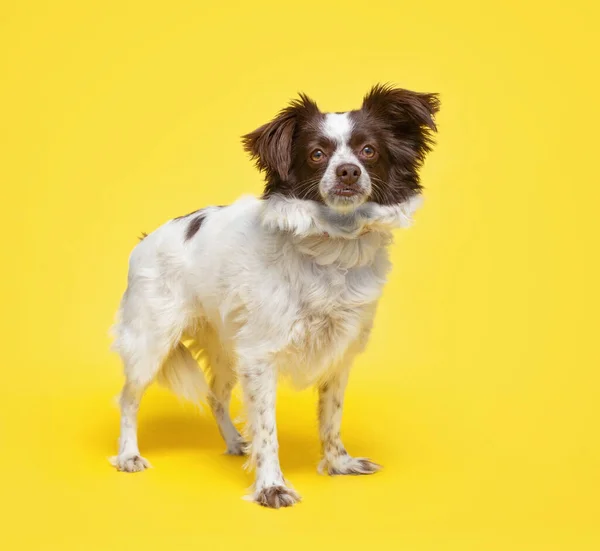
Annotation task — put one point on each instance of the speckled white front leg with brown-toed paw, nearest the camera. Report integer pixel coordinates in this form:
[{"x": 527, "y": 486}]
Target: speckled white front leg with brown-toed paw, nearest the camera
[{"x": 259, "y": 386}]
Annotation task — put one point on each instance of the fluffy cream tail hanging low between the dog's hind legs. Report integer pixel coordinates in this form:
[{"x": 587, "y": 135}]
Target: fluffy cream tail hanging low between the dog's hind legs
[{"x": 181, "y": 374}]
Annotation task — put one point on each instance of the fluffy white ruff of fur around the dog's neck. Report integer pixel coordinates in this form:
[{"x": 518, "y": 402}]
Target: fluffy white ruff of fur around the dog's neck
[{"x": 347, "y": 240}]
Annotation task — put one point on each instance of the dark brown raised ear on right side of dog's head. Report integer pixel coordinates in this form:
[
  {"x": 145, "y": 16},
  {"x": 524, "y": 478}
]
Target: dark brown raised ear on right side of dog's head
[{"x": 410, "y": 115}]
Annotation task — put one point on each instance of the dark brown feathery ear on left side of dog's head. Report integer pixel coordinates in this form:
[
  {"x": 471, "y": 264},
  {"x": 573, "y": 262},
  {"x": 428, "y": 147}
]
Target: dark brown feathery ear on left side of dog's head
[{"x": 271, "y": 144}]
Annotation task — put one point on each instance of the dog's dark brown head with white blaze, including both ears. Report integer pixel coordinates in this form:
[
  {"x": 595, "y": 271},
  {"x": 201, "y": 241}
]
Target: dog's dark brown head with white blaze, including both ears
[{"x": 345, "y": 159}]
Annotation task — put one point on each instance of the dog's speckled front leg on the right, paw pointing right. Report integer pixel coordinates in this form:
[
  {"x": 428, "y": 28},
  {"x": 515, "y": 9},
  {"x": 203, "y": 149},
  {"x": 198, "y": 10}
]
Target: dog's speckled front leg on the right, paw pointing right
[{"x": 335, "y": 457}]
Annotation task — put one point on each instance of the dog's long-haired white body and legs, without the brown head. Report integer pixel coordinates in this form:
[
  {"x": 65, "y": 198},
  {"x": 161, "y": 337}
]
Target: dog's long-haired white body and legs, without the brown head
[{"x": 264, "y": 288}]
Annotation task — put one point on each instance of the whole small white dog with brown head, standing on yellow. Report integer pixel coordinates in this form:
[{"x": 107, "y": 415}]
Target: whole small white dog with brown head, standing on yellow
[{"x": 285, "y": 284}]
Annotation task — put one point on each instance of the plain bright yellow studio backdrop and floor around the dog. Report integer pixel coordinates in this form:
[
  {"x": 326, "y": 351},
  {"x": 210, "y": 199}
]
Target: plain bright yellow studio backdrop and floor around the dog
[{"x": 479, "y": 391}]
